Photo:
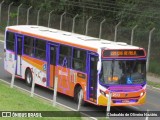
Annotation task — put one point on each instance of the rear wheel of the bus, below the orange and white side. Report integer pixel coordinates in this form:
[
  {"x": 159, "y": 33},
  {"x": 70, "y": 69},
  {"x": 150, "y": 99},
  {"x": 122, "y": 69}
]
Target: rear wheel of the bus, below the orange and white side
[{"x": 28, "y": 77}]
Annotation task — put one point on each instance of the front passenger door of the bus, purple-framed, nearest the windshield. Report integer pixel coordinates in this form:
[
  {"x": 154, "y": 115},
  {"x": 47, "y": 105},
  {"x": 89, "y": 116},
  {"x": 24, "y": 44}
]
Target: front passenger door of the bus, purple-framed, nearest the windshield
[{"x": 92, "y": 78}]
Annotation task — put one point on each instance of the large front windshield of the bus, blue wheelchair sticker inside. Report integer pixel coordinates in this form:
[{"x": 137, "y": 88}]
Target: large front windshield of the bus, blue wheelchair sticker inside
[{"x": 123, "y": 72}]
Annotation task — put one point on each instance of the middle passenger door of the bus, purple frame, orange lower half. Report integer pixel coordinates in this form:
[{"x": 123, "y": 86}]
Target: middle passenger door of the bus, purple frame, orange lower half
[{"x": 51, "y": 64}]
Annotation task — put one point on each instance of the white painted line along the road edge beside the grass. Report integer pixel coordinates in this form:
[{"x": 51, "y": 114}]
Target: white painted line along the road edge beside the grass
[{"x": 49, "y": 100}]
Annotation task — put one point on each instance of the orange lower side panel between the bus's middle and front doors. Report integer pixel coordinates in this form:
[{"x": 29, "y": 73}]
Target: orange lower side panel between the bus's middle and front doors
[{"x": 68, "y": 79}]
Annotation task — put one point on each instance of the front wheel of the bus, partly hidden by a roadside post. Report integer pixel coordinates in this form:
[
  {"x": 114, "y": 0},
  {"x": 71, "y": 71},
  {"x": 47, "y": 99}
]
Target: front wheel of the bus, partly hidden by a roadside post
[{"x": 77, "y": 95}]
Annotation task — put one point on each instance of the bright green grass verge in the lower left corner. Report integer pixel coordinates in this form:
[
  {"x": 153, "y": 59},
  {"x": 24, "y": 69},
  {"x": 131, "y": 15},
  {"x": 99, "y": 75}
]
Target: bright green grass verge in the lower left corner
[{"x": 16, "y": 100}]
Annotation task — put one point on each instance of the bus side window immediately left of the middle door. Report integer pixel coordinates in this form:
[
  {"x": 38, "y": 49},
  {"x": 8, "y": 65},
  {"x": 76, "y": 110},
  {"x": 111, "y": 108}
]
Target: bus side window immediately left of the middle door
[{"x": 40, "y": 49}]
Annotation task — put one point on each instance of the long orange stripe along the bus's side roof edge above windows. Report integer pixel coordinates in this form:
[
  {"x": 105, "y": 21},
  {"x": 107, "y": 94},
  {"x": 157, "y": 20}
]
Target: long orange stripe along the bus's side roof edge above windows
[{"x": 53, "y": 39}]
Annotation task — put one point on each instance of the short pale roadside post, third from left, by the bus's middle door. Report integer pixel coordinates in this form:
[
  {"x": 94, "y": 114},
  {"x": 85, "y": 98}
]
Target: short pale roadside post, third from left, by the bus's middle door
[{"x": 55, "y": 90}]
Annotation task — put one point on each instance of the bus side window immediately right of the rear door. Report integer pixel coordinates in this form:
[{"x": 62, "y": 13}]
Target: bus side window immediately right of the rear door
[{"x": 29, "y": 46}]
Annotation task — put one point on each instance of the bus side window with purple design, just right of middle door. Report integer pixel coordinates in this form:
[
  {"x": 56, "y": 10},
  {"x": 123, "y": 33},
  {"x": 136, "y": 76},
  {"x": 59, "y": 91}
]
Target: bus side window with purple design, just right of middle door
[{"x": 65, "y": 56}]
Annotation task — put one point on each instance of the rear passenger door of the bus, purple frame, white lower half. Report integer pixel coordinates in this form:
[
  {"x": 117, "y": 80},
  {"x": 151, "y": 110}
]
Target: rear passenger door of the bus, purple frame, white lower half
[{"x": 18, "y": 54}]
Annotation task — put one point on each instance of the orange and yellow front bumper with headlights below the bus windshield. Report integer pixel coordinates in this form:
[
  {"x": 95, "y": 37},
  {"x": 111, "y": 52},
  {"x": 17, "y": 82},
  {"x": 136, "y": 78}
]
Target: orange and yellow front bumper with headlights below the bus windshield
[{"x": 136, "y": 97}]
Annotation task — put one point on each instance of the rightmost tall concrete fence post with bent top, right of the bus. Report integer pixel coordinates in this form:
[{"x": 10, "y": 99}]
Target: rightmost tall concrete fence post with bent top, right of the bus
[{"x": 149, "y": 49}]
